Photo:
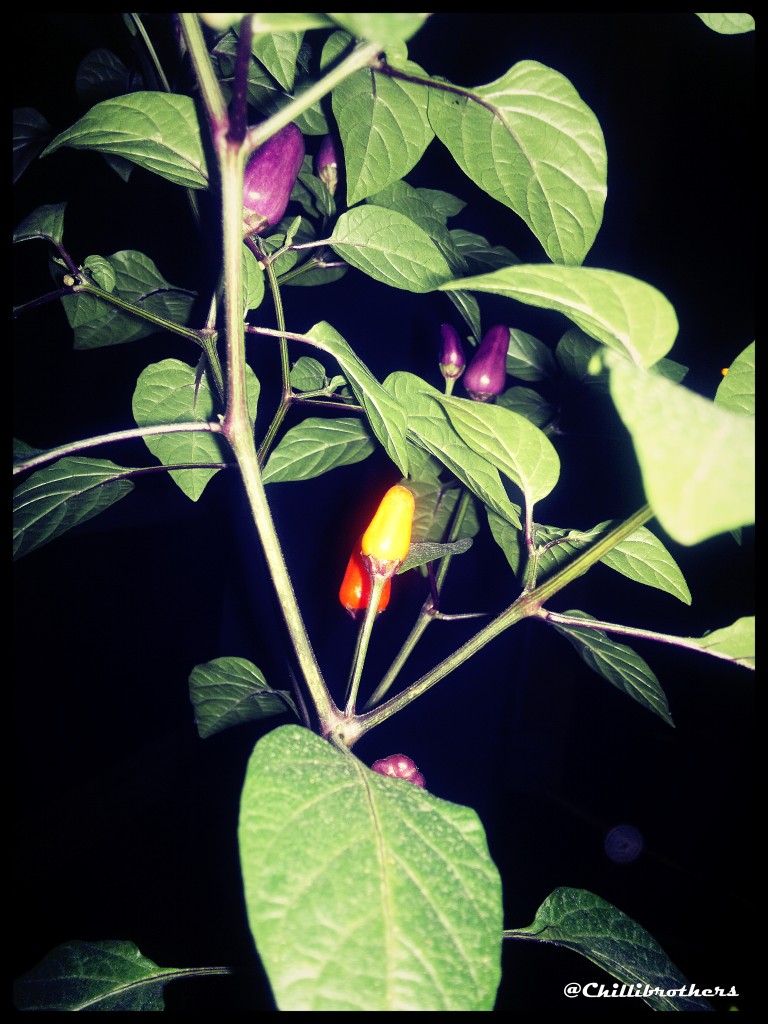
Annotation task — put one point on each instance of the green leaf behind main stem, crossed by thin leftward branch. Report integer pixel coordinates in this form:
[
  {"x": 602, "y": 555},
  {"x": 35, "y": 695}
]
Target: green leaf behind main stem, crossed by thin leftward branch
[{"x": 168, "y": 393}]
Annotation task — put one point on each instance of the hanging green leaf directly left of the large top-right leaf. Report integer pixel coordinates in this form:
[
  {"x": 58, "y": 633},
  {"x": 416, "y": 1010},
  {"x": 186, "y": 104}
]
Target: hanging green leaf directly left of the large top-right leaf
[{"x": 385, "y": 131}]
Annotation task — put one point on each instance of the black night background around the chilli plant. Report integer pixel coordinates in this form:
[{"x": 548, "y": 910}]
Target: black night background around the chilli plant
[{"x": 126, "y": 821}]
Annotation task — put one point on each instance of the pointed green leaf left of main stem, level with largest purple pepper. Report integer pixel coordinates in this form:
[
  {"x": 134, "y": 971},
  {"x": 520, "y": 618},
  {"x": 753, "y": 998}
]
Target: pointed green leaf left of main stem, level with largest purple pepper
[{"x": 156, "y": 131}]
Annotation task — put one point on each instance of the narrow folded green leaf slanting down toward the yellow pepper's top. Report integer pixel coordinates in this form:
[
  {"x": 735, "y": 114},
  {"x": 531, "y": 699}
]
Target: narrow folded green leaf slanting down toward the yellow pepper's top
[{"x": 385, "y": 414}]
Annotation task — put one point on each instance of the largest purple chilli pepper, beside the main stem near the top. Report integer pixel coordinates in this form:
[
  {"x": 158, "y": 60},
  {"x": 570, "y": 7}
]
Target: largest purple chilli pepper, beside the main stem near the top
[{"x": 270, "y": 178}]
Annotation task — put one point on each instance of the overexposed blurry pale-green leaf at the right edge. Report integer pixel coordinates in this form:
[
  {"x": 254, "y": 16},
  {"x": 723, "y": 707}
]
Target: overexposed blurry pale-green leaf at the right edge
[{"x": 697, "y": 458}]
